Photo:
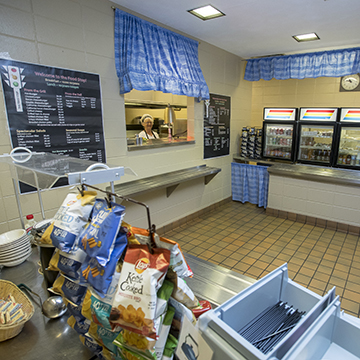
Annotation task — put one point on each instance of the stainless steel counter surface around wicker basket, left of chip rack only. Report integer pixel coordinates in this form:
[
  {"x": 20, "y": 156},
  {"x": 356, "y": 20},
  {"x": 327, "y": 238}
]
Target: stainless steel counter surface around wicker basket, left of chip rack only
[{"x": 41, "y": 338}]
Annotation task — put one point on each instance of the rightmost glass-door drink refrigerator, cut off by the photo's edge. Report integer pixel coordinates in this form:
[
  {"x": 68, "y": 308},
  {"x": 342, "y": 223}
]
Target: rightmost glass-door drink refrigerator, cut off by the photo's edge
[{"x": 348, "y": 151}]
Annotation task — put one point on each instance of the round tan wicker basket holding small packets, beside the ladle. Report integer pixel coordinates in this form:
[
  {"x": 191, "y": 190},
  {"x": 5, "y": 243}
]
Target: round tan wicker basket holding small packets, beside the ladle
[{"x": 10, "y": 331}]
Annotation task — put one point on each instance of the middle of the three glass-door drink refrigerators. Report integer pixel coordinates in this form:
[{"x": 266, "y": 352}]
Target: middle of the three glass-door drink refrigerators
[{"x": 317, "y": 136}]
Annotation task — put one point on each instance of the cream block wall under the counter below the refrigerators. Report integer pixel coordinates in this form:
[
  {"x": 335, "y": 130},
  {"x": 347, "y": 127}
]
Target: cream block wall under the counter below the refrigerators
[{"x": 337, "y": 203}]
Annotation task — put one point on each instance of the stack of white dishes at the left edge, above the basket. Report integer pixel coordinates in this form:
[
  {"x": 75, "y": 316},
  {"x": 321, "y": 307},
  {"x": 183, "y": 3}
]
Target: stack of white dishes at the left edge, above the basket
[{"x": 15, "y": 247}]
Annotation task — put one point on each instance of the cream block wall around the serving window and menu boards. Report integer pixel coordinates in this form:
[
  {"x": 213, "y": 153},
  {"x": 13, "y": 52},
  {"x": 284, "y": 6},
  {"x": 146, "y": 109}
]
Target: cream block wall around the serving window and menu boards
[{"x": 78, "y": 35}]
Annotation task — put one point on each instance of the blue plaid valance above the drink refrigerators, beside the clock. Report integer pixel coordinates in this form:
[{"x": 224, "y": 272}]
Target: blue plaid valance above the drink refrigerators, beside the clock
[{"x": 311, "y": 65}]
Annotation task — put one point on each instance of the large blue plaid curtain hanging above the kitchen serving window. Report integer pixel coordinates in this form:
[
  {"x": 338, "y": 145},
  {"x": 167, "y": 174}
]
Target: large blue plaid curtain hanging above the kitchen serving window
[{"x": 149, "y": 57}]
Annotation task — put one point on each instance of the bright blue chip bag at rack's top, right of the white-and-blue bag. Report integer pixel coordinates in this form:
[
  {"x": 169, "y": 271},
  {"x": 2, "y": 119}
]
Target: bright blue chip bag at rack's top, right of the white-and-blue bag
[{"x": 97, "y": 239}]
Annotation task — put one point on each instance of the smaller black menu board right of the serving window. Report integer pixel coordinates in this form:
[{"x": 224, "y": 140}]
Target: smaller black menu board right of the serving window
[{"x": 217, "y": 126}]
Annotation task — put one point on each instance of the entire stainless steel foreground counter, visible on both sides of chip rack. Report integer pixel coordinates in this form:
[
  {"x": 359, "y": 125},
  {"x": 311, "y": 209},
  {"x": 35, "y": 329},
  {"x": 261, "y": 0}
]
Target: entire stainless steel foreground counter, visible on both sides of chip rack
[{"x": 43, "y": 338}]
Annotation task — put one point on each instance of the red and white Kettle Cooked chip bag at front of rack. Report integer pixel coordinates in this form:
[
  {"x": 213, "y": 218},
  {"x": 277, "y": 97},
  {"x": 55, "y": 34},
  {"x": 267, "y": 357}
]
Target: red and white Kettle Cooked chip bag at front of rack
[{"x": 141, "y": 277}]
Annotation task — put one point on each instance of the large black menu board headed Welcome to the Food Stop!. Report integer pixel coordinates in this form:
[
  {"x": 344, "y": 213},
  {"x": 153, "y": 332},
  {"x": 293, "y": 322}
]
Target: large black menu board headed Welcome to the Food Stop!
[{"x": 53, "y": 110}]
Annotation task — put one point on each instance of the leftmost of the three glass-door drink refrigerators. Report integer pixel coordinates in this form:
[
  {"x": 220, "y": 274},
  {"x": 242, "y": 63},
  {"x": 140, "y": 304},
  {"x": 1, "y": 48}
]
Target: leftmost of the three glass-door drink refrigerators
[{"x": 279, "y": 126}]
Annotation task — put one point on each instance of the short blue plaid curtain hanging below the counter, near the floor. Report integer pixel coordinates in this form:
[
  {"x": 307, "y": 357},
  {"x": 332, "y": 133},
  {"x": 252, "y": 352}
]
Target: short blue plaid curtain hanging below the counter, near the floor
[{"x": 250, "y": 183}]
